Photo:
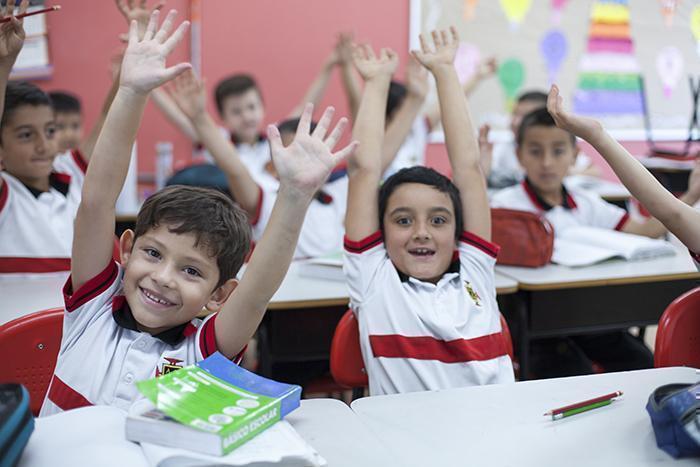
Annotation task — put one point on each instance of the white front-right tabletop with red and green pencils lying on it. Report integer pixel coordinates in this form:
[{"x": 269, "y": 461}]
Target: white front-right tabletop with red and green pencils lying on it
[{"x": 504, "y": 425}]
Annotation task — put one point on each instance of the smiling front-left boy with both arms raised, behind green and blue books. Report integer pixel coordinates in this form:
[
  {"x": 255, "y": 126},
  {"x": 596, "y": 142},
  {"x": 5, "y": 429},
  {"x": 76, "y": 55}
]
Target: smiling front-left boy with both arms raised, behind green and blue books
[{"x": 123, "y": 323}]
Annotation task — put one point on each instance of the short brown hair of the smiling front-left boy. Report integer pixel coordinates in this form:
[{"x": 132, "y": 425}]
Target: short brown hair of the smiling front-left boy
[{"x": 217, "y": 223}]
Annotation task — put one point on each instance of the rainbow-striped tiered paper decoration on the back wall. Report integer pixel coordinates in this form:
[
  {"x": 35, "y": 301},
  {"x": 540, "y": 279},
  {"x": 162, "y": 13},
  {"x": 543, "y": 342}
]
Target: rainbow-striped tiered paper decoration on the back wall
[{"x": 609, "y": 72}]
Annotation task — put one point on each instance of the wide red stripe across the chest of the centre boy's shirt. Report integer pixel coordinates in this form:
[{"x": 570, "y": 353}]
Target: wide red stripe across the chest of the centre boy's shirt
[{"x": 428, "y": 348}]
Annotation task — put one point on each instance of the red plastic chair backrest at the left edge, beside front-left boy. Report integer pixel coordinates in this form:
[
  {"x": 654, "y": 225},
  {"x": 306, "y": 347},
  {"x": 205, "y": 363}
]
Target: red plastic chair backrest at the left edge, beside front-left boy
[{"x": 33, "y": 341}]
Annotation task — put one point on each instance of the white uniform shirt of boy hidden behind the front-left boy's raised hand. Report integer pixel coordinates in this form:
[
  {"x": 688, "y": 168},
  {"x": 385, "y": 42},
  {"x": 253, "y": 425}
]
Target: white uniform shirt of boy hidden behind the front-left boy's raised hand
[{"x": 323, "y": 227}]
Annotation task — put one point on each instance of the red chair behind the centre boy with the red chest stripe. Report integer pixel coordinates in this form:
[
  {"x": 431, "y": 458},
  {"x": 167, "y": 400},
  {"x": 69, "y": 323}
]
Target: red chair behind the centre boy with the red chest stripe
[{"x": 347, "y": 366}]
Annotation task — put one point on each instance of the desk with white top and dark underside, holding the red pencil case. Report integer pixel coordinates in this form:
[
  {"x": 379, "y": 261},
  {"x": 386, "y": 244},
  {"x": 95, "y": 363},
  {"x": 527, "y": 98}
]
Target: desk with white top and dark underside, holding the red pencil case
[{"x": 558, "y": 300}]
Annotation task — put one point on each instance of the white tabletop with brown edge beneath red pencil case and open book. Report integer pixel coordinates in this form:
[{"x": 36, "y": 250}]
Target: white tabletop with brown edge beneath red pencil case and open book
[{"x": 554, "y": 276}]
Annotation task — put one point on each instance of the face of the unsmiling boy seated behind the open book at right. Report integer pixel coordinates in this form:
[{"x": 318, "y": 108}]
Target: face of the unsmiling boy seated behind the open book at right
[{"x": 546, "y": 153}]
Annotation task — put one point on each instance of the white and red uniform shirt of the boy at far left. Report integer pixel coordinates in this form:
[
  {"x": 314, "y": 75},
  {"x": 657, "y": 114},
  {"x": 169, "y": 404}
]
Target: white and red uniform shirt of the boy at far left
[{"x": 36, "y": 227}]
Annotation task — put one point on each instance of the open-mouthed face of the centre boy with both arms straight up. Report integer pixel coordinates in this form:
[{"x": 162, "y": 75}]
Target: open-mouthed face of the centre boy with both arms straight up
[{"x": 419, "y": 231}]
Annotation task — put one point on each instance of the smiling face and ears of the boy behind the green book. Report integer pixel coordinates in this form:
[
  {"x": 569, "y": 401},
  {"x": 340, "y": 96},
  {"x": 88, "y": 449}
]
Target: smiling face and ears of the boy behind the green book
[{"x": 168, "y": 280}]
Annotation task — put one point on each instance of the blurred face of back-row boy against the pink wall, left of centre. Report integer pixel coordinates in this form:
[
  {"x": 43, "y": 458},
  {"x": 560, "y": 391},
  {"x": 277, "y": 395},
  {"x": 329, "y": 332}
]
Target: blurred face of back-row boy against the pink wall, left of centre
[{"x": 243, "y": 114}]
